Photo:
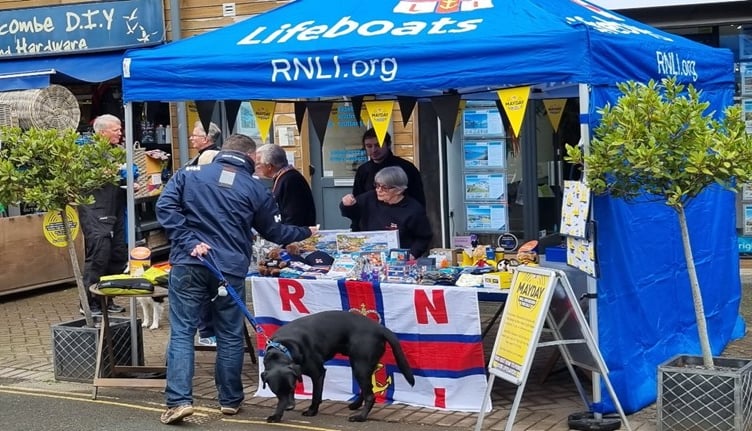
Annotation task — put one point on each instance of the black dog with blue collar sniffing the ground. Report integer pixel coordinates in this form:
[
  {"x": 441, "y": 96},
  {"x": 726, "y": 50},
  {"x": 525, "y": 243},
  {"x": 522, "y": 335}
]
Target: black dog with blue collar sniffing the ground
[{"x": 303, "y": 345}]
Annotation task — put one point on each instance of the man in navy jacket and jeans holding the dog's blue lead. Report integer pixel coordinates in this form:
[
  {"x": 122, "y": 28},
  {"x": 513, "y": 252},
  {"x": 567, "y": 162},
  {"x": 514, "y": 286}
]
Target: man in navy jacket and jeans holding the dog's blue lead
[{"x": 211, "y": 210}]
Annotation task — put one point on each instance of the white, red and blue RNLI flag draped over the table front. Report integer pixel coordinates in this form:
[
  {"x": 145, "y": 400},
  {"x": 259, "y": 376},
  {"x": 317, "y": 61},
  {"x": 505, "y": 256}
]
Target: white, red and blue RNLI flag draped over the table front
[{"x": 439, "y": 329}]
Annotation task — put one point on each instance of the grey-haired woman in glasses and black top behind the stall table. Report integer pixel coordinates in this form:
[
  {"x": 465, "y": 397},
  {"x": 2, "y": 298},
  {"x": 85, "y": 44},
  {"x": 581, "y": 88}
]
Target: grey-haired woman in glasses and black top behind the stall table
[{"x": 388, "y": 208}]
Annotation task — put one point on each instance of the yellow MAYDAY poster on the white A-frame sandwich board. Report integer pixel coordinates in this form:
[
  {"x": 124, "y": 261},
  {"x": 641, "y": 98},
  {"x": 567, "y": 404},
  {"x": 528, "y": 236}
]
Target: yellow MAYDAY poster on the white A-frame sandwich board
[{"x": 521, "y": 323}]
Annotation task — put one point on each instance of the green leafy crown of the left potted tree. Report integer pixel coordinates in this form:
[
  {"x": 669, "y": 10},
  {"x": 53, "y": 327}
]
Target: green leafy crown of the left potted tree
[{"x": 50, "y": 169}]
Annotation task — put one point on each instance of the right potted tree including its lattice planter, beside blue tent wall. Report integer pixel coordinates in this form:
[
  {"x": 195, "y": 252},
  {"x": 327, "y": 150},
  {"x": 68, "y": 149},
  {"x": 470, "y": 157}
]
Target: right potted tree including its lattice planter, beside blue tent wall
[{"x": 659, "y": 140}]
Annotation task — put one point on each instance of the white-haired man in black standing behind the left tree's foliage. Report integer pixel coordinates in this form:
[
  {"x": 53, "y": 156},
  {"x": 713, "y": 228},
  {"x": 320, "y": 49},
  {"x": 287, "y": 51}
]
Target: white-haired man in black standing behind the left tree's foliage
[{"x": 103, "y": 224}]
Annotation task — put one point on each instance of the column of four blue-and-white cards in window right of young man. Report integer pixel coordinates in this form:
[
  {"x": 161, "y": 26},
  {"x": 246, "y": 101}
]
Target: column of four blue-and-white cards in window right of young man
[{"x": 484, "y": 175}]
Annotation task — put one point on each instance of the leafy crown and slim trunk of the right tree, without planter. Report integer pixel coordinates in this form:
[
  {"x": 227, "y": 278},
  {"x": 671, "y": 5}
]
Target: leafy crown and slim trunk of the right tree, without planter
[{"x": 660, "y": 141}]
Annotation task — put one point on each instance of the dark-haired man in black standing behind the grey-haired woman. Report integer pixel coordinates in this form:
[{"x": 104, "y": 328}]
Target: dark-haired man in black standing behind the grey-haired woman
[{"x": 379, "y": 158}]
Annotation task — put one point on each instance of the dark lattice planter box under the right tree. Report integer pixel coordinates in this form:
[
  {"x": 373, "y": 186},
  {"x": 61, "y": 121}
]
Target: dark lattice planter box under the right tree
[{"x": 693, "y": 398}]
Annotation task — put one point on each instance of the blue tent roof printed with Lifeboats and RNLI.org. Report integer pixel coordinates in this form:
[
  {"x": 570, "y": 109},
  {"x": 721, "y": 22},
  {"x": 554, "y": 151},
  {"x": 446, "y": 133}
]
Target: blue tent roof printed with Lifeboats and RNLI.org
[{"x": 416, "y": 48}]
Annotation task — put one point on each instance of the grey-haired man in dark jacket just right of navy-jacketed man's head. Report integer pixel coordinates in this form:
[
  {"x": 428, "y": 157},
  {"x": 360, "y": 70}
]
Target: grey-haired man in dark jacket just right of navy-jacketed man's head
[{"x": 290, "y": 188}]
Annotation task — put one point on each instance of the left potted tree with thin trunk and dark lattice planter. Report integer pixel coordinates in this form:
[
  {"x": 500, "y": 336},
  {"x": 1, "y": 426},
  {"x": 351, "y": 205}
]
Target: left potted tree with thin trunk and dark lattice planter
[{"x": 53, "y": 170}]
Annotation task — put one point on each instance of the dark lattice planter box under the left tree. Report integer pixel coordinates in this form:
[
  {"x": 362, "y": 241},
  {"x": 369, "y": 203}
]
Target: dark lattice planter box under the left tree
[{"x": 74, "y": 348}]
